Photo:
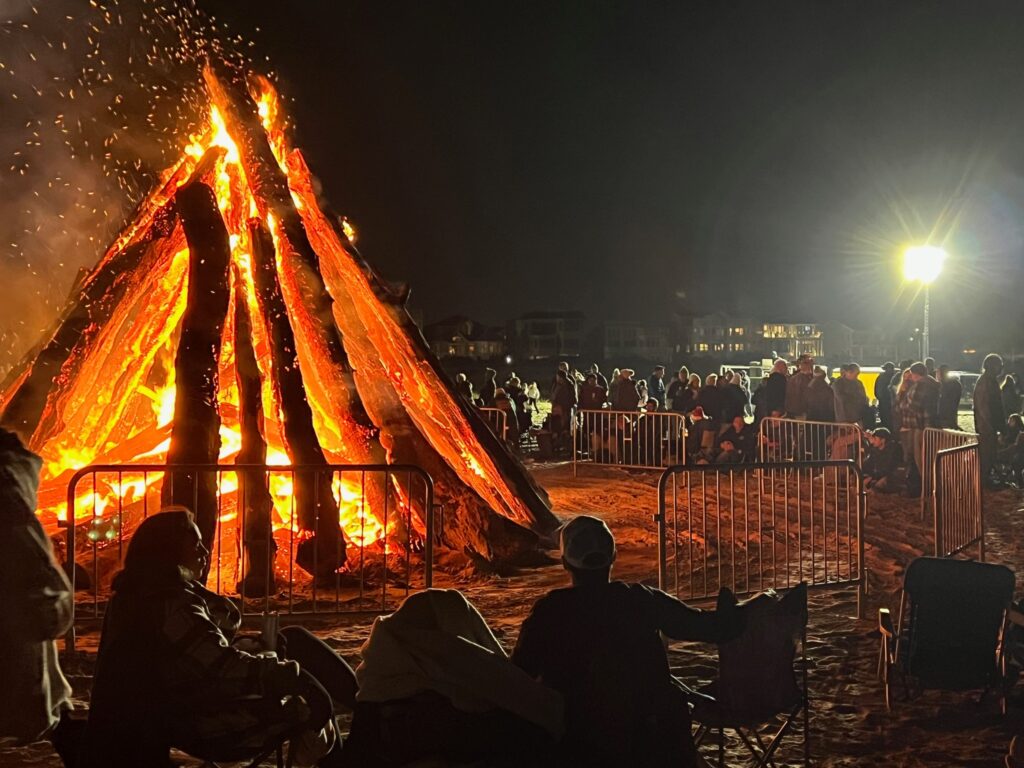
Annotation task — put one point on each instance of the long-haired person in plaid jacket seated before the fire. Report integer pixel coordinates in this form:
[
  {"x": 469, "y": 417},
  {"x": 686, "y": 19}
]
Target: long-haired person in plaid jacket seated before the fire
[{"x": 167, "y": 675}]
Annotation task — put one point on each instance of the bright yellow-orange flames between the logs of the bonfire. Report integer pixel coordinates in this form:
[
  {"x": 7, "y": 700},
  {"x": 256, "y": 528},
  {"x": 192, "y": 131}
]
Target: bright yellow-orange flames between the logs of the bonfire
[{"x": 120, "y": 406}]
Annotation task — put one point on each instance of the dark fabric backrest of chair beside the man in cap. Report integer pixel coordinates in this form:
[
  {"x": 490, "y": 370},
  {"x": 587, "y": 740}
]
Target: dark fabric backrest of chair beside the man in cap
[{"x": 757, "y": 679}]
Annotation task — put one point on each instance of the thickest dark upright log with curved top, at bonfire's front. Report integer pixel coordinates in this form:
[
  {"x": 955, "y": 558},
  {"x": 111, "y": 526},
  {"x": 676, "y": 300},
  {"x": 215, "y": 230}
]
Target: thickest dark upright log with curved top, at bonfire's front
[{"x": 196, "y": 434}]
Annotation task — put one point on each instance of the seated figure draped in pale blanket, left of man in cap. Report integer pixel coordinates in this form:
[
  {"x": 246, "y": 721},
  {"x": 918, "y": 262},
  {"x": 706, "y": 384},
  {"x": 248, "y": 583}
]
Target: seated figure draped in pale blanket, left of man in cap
[{"x": 436, "y": 685}]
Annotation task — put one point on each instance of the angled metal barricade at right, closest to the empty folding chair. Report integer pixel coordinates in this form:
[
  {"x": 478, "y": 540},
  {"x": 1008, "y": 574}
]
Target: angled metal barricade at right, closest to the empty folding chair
[{"x": 960, "y": 521}]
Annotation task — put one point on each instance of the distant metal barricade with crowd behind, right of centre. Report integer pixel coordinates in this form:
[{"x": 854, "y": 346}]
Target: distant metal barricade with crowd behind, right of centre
[{"x": 793, "y": 441}]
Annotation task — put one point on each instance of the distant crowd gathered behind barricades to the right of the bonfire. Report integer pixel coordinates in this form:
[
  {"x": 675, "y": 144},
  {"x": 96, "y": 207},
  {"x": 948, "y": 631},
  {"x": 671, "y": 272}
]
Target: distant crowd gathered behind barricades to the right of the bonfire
[{"x": 723, "y": 414}]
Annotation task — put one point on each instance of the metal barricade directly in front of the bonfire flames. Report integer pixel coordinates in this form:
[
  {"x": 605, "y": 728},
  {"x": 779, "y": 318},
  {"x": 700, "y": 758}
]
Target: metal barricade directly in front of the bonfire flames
[{"x": 387, "y": 514}]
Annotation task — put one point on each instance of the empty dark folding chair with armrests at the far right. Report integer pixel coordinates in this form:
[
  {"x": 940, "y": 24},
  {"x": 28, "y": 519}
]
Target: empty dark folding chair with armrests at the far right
[{"x": 950, "y": 630}]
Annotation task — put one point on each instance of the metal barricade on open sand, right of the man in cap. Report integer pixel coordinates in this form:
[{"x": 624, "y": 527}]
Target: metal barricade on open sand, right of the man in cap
[{"x": 755, "y": 527}]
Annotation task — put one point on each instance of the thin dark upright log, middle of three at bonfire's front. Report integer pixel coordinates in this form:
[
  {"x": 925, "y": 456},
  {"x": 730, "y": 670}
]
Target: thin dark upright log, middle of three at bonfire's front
[{"x": 255, "y": 501}]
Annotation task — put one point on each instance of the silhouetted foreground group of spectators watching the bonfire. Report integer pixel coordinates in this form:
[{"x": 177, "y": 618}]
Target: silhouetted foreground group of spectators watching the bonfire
[{"x": 434, "y": 682}]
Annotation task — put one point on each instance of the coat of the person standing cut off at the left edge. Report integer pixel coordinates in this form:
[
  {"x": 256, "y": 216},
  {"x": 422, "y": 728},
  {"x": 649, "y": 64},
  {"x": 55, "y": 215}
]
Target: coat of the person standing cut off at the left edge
[{"x": 35, "y": 606}]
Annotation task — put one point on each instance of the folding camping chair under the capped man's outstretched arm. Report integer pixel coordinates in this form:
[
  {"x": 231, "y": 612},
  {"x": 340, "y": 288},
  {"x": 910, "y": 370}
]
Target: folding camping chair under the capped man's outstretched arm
[{"x": 758, "y": 684}]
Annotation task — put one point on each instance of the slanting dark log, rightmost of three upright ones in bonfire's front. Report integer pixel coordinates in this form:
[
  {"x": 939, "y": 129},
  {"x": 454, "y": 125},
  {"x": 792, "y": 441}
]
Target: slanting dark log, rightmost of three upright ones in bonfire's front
[{"x": 324, "y": 553}]
